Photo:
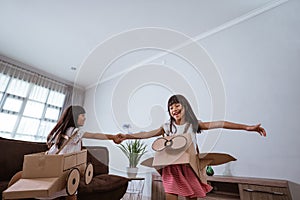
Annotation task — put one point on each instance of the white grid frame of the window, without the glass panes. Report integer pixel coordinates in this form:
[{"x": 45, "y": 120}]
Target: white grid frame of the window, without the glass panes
[{"x": 42, "y": 120}]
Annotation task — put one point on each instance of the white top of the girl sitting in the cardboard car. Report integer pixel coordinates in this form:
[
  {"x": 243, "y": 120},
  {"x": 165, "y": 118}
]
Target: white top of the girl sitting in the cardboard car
[{"x": 73, "y": 146}]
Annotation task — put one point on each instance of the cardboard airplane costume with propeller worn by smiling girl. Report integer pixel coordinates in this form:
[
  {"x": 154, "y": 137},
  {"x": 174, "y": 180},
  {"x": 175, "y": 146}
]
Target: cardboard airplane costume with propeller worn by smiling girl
[{"x": 180, "y": 149}]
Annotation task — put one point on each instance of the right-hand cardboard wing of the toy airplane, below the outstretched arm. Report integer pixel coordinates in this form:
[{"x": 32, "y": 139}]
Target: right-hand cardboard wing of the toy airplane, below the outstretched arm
[{"x": 216, "y": 158}]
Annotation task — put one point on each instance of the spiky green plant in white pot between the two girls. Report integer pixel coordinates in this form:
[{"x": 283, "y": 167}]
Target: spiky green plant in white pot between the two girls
[{"x": 133, "y": 150}]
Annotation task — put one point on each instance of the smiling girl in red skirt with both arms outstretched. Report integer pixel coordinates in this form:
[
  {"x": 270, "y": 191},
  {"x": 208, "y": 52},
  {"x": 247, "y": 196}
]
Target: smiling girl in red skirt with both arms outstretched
[{"x": 180, "y": 179}]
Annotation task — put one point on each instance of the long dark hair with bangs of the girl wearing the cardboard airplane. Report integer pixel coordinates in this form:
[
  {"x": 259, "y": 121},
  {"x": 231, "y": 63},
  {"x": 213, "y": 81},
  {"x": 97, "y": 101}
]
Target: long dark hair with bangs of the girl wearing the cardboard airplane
[{"x": 190, "y": 116}]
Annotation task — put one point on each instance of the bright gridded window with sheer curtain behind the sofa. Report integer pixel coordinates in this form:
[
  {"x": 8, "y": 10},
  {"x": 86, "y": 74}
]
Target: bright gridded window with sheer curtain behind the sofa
[{"x": 30, "y": 104}]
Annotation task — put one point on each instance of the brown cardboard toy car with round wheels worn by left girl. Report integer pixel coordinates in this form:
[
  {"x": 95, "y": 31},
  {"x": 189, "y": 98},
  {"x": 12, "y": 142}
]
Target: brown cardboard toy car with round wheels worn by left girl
[{"x": 44, "y": 174}]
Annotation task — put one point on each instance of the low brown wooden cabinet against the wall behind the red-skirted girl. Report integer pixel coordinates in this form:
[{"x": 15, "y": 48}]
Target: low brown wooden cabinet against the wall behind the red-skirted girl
[{"x": 243, "y": 188}]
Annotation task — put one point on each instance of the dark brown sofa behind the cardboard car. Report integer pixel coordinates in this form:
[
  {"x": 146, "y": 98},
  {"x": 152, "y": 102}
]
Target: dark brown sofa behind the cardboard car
[{"x": 103, "y": 185}]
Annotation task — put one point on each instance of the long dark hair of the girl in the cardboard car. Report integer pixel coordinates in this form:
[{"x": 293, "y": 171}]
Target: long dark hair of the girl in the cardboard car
[{"x": 68, "y": 119}]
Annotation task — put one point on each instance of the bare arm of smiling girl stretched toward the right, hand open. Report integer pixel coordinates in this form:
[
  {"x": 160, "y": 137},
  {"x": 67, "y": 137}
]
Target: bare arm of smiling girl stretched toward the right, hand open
[{"x": 231, "y": 125}]
